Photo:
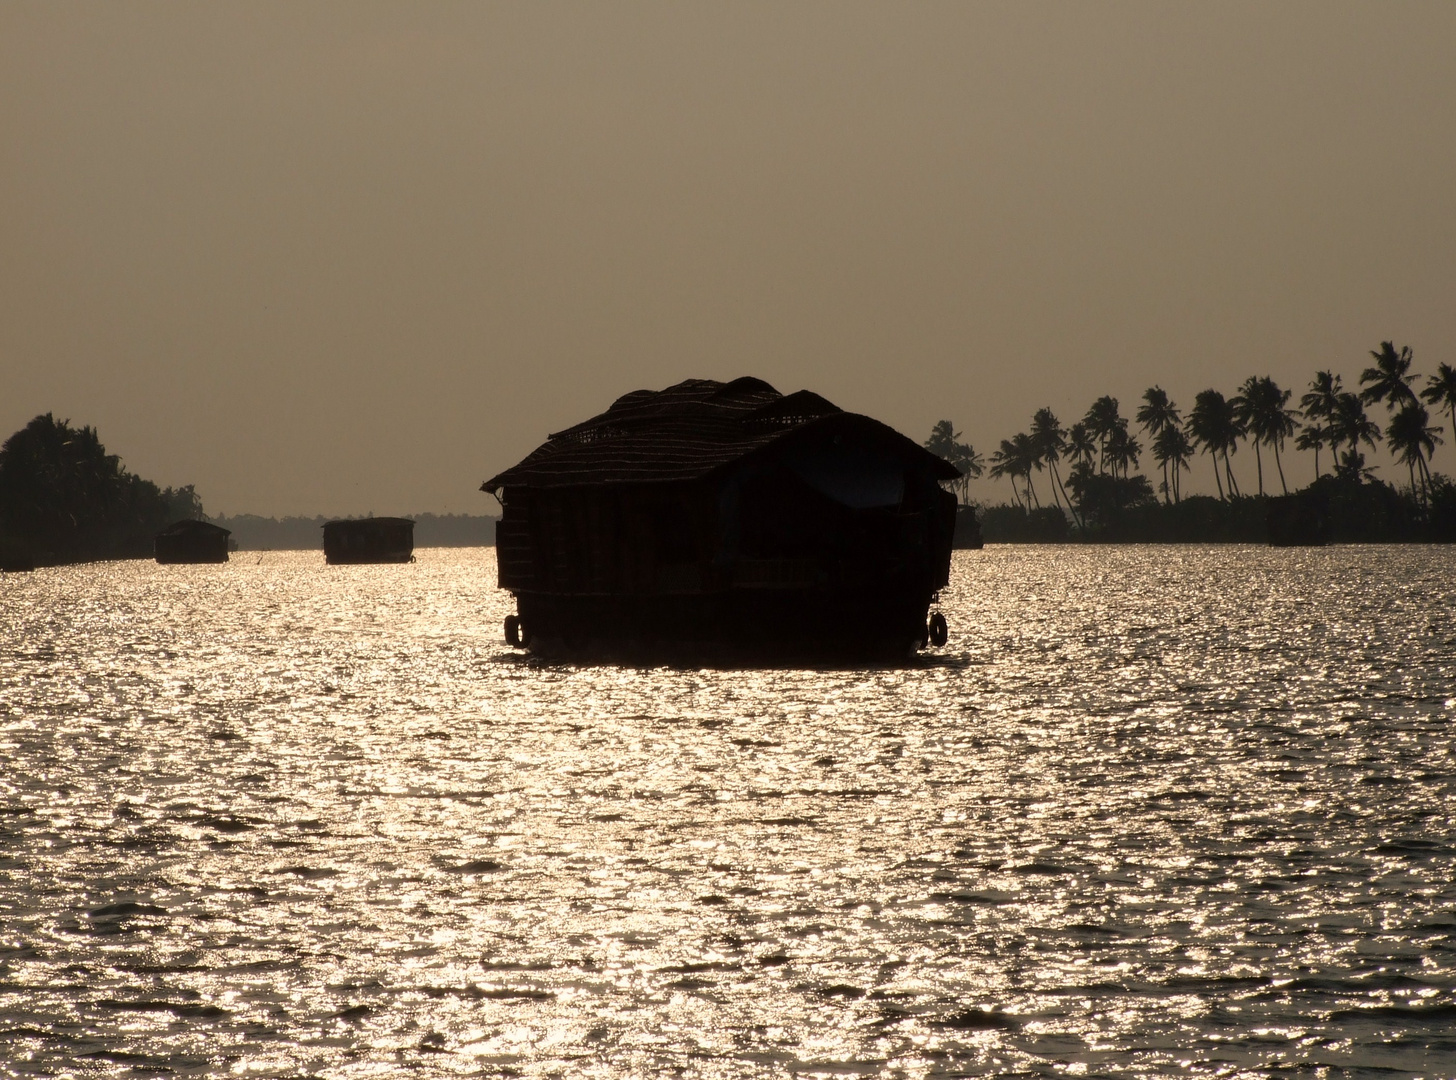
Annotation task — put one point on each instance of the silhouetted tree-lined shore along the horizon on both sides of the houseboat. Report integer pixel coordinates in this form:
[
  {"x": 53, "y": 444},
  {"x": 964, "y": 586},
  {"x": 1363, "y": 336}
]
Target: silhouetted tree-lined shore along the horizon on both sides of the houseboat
[{"x": 63, "y": 499}]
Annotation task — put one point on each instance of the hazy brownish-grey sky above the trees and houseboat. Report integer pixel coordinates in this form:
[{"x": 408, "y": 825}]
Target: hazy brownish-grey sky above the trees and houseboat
[{"x": 347, "y": 257}]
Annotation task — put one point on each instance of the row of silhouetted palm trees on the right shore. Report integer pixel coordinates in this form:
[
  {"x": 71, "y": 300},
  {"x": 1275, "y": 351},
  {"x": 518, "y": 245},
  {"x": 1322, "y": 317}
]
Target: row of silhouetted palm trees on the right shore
[{"x": 1101, "y": 493}]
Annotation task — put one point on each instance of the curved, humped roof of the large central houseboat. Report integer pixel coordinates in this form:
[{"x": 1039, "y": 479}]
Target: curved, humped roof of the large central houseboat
[{"x": 687, "y": 432}]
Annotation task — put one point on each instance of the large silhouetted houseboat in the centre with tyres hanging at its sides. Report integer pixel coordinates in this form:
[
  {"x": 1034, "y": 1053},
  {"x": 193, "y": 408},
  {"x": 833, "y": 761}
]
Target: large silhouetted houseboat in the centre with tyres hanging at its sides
[{"x": 726, "y": 520}]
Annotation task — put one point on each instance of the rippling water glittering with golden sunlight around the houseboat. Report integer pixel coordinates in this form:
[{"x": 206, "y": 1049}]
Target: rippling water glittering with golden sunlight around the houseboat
[{"x": 1154, "y": 811}]
